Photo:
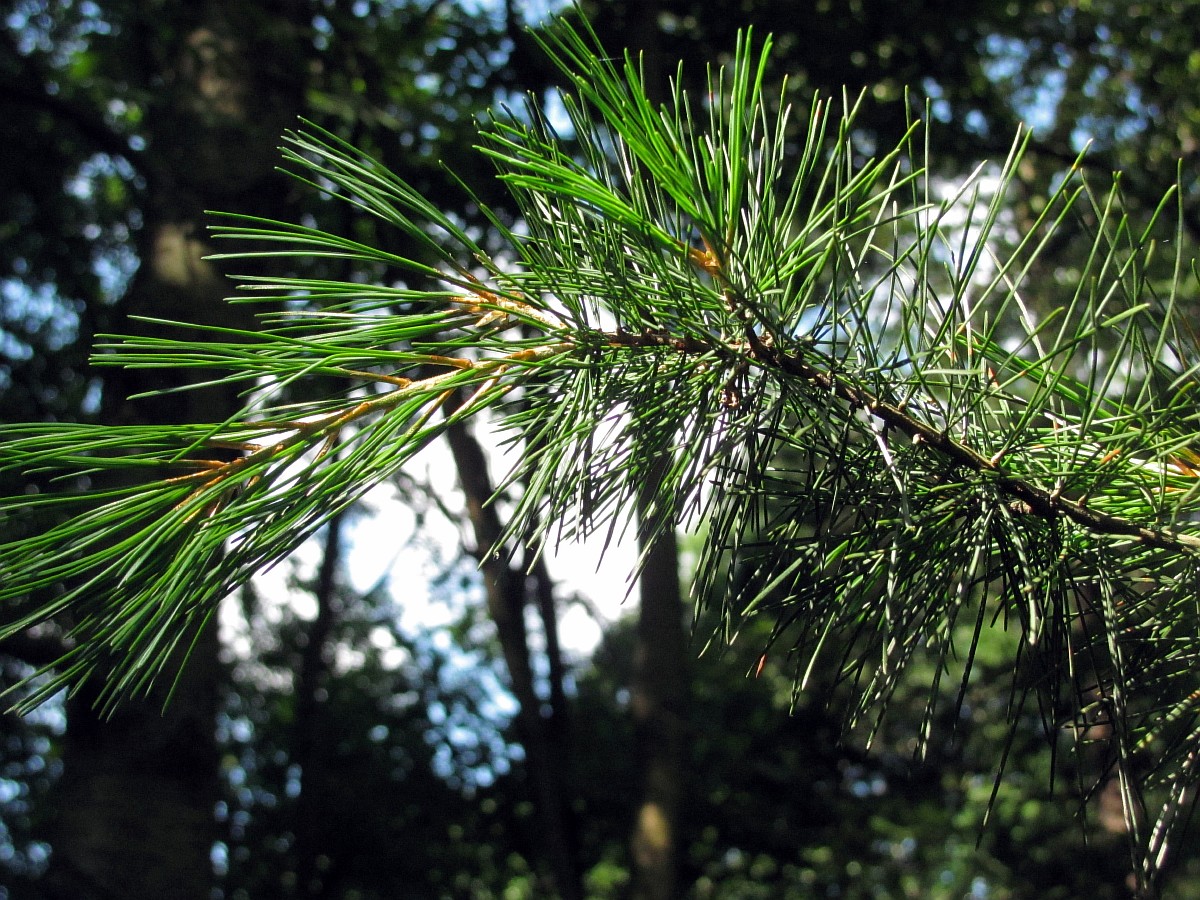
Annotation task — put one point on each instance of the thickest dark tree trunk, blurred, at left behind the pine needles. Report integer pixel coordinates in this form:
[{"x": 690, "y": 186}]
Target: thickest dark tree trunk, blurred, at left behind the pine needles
[{"x": 134, "y": 813}]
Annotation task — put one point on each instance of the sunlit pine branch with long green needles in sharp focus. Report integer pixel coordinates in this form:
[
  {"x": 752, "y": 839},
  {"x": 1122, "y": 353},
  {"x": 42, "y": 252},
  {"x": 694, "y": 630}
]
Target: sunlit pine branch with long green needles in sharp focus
[{"x": 878, "y": 430}]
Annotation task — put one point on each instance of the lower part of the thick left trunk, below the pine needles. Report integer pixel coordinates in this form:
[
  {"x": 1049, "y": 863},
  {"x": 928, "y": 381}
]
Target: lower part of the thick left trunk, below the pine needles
[{"x": 134, "y": 811}]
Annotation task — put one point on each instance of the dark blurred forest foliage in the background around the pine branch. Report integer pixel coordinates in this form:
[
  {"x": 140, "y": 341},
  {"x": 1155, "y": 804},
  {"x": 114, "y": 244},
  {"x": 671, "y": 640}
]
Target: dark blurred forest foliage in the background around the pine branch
[{"x": 333, "y": 753}]
